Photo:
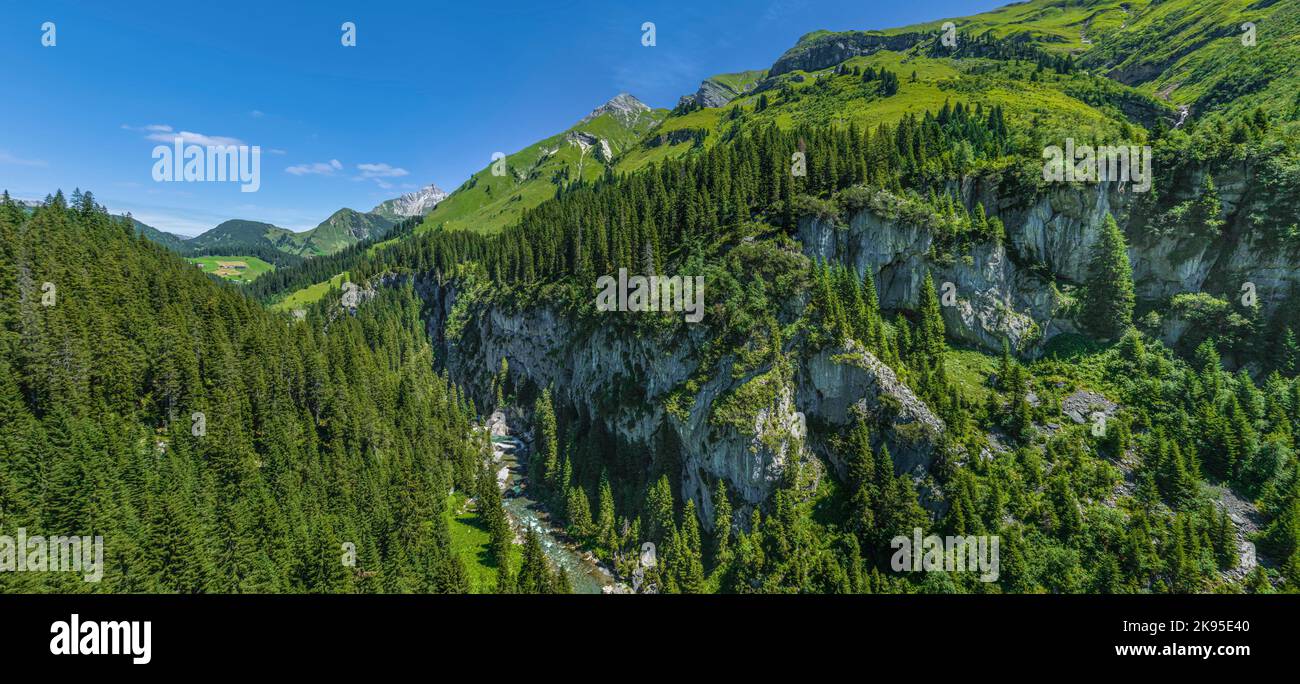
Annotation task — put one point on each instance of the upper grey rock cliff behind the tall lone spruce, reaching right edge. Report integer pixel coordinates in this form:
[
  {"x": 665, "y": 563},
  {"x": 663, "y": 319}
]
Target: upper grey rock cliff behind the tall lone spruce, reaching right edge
[{"x": 1003, "y": 291}]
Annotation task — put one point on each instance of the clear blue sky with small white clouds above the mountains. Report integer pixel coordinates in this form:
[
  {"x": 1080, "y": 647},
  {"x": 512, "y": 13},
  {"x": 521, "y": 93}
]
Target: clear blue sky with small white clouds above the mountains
[{"x": 428, "y": 94}]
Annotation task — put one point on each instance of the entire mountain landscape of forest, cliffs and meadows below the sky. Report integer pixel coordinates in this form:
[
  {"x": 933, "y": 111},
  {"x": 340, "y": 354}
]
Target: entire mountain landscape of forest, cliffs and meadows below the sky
[{"x": 907, "y": 327}]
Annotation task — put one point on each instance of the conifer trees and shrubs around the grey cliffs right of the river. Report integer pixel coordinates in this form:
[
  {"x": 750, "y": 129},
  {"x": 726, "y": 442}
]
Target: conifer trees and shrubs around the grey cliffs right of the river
[{"x": 1136, "y": 510}]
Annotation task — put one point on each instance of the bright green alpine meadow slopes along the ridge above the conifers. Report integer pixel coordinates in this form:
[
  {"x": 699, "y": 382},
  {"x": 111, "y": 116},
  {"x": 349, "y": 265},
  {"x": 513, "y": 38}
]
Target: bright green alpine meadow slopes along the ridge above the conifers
[{"x": 1095, "y": 102}]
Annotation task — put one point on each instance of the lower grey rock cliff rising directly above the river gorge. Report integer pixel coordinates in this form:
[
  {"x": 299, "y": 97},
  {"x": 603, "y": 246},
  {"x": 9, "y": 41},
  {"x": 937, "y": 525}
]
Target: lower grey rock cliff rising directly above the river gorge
[{"x": 608, "y": 374}]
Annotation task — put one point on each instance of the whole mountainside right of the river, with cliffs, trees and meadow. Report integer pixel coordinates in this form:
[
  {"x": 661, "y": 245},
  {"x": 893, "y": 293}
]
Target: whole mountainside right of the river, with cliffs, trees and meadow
[{"x": 833, "y": 400}]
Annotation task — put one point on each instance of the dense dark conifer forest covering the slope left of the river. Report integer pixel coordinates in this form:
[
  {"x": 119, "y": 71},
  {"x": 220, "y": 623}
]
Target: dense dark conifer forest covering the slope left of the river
[{"x": 214, "y": 445}]
